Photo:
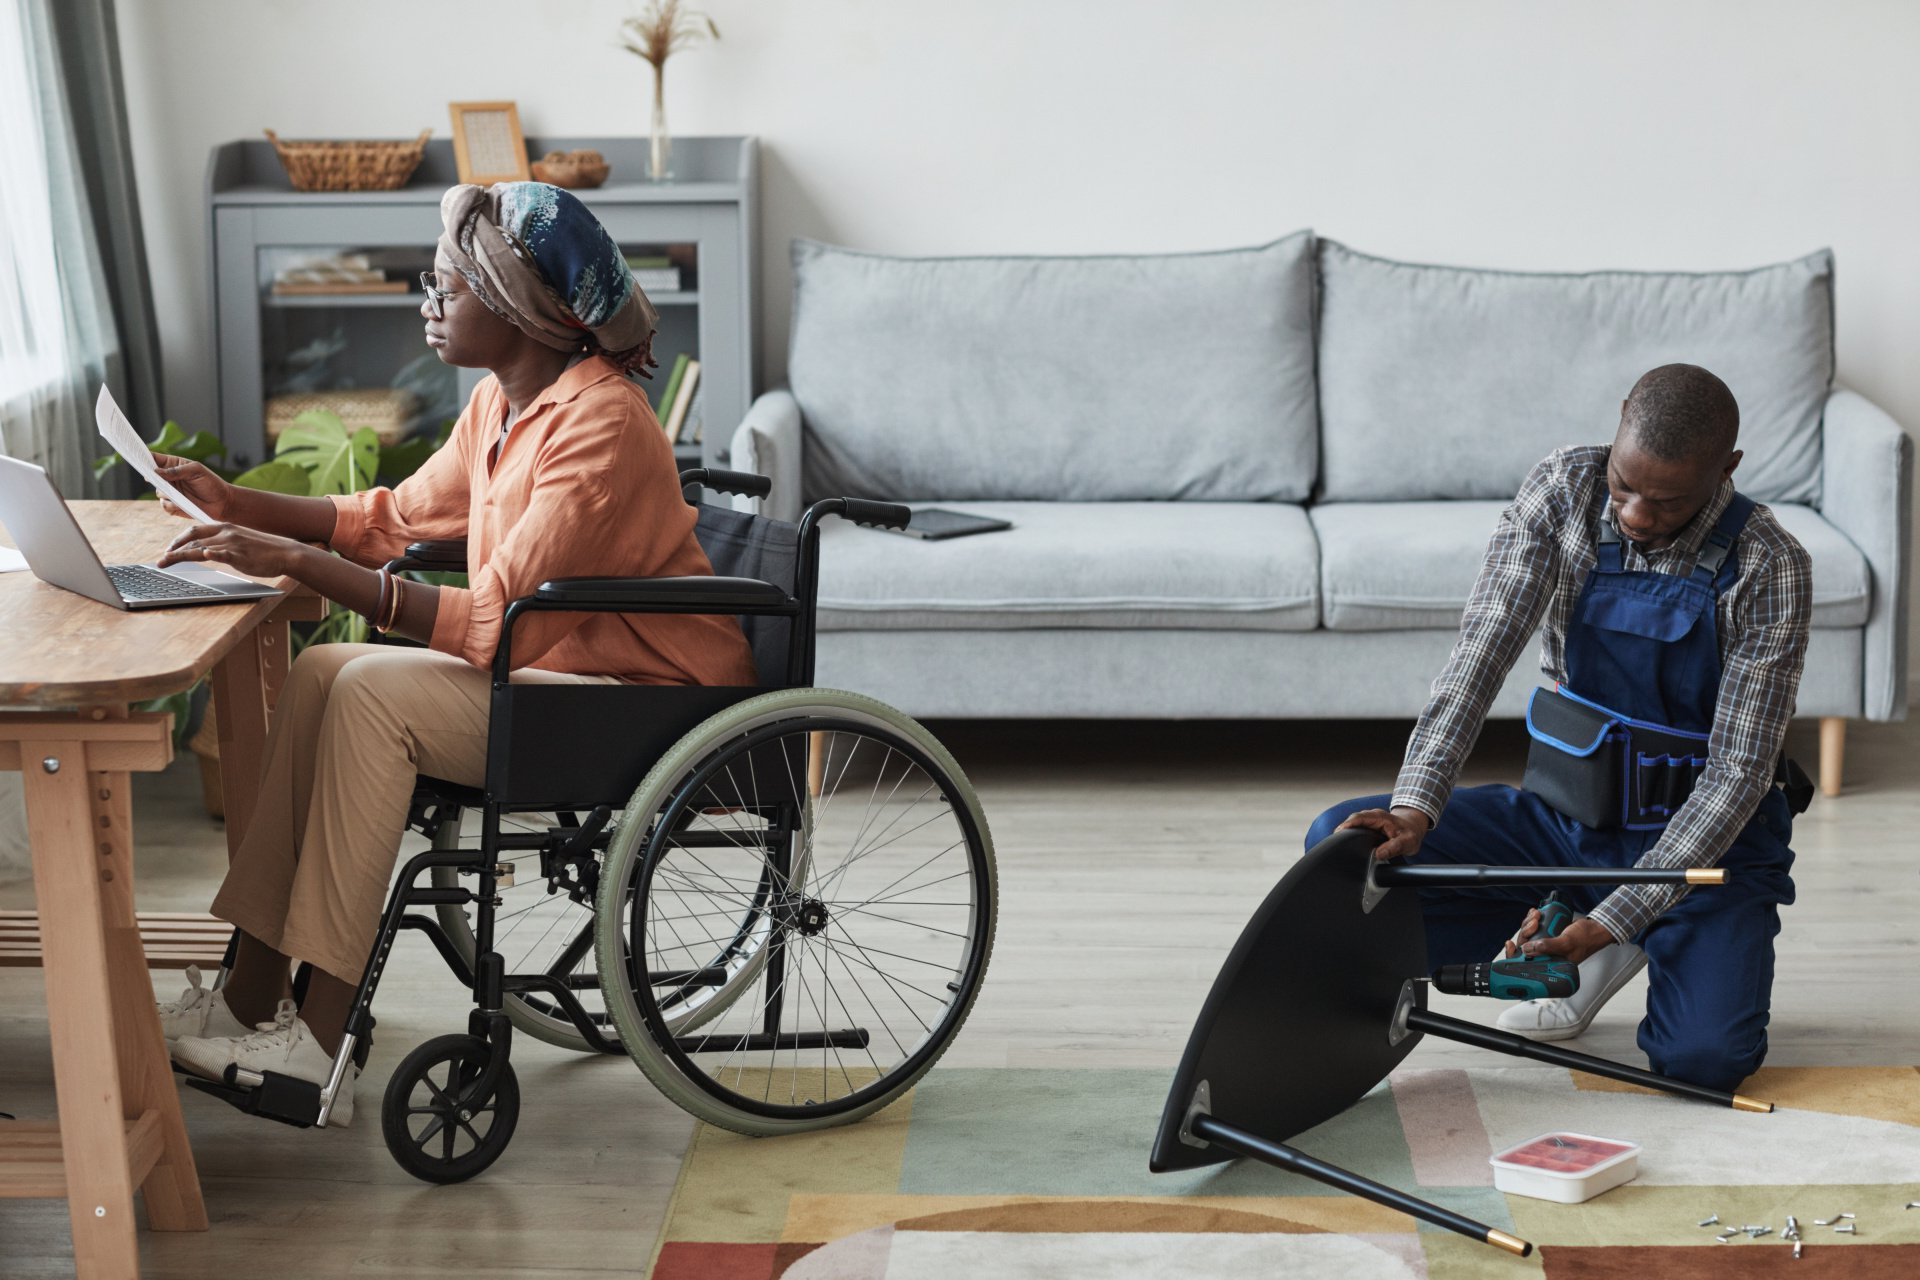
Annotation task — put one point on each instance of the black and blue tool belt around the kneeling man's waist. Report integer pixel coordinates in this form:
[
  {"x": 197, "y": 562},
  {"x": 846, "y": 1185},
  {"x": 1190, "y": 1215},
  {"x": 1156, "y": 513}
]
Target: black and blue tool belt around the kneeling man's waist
[{"x": 1606, "y": 770}]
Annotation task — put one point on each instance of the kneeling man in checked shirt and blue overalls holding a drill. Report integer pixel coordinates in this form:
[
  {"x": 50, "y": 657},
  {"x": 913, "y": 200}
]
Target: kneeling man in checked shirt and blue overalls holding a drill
[{"x": 1675, "y": 630}]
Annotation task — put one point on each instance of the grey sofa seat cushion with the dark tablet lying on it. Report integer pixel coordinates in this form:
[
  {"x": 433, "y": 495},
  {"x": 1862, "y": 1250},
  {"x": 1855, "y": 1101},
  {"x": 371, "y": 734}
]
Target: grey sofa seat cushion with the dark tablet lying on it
[{"x": 1082, "y": 565}]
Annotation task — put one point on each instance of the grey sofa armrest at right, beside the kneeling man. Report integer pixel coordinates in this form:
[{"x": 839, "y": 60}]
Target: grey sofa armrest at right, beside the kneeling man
[{"x": 1867, "y": 494}]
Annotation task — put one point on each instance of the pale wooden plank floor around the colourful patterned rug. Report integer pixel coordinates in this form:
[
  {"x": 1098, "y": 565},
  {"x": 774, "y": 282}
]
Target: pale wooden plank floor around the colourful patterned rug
[{"x": 1130, "y": 857}]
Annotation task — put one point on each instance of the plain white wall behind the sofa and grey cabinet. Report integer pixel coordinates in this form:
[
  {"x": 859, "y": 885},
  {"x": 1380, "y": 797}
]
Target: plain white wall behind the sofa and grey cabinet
[{"x": 1504, "y": 133}]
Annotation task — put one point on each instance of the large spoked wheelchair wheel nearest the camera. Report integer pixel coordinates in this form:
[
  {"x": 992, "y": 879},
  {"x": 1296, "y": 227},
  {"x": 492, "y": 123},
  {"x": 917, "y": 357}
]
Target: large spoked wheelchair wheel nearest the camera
[{"x": 846, "y": 845}]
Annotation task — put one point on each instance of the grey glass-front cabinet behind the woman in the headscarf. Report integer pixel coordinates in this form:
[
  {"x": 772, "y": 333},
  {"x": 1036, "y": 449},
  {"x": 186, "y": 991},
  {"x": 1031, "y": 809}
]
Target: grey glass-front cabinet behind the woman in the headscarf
[{"x": 266, "y": 343}]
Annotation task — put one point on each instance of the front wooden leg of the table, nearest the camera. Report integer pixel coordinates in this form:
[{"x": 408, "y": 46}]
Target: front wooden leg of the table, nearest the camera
[{"x": 80, "y": 1012}]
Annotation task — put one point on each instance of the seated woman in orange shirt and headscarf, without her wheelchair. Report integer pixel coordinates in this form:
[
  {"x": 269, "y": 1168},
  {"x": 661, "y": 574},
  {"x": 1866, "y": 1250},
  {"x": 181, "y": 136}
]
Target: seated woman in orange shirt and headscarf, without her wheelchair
[{"x": 556, "y": 469}]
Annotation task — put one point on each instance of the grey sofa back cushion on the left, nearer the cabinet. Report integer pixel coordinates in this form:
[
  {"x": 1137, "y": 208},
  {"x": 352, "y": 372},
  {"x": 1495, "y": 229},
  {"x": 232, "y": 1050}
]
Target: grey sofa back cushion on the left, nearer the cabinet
[{"x": 1072, "y": 379}]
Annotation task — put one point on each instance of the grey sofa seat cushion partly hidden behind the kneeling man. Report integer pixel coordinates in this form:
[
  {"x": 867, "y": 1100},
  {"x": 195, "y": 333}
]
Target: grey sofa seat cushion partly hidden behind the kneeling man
[{"x": 1412, "y": 565}]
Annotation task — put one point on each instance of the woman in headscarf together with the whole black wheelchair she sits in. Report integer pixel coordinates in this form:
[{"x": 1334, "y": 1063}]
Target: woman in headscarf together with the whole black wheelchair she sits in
[{"x": 650, "y": 834}]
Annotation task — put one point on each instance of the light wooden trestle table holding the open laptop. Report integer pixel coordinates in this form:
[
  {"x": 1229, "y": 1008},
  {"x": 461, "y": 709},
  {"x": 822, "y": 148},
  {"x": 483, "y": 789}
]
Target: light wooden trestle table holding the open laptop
[{"x": 68, "y": 671}]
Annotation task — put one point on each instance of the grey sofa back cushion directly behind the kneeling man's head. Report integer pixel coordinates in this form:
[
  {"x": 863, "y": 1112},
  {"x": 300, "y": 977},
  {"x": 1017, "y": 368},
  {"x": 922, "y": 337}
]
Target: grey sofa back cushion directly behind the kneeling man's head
[{"x": 1441, "y": 383}]
